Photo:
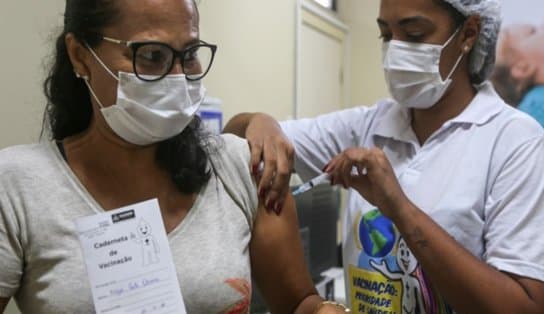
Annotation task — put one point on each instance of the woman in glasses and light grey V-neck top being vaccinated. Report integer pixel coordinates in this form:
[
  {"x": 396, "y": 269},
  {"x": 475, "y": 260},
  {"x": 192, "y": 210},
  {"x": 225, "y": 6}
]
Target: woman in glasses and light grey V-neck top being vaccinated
[{"x": 122, "y": 96}]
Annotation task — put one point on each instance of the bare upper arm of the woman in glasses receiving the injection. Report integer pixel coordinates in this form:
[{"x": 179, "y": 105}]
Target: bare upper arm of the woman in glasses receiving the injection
[{"x": 277, "y": 259}]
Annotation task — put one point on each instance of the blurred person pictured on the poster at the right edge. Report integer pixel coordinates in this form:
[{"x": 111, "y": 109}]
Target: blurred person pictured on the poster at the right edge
[{"x": 519, "y": 74}]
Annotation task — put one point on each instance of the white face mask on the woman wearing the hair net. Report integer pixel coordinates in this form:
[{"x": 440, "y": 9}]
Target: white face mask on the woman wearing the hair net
[{"x": 412, "y": 71}]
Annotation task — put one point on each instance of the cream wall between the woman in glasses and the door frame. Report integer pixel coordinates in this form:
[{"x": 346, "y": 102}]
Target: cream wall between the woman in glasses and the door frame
[{"x": 254, "y": 69}]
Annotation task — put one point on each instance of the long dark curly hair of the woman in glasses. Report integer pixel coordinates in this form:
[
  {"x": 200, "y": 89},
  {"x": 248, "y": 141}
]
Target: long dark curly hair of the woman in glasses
[{"x": 69, "y": 109}]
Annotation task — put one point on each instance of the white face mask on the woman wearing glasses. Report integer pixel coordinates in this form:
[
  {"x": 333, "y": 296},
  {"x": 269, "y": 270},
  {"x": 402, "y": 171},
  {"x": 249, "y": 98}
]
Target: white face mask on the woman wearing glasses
[{"x": 150, "y": 112}]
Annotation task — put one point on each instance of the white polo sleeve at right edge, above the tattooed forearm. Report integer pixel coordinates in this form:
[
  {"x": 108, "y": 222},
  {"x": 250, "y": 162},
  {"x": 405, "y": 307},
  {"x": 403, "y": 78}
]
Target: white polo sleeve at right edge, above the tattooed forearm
[{"x": 515, "y": 213}]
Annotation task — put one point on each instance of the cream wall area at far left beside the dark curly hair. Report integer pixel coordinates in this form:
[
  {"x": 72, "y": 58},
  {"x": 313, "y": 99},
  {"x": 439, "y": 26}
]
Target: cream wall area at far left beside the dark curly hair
[{"x": 26, "y": 28}]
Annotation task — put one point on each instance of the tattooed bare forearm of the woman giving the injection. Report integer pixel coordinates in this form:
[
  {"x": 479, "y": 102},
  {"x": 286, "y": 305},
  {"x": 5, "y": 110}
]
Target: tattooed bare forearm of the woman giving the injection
[{"x": 468, "y": 284}]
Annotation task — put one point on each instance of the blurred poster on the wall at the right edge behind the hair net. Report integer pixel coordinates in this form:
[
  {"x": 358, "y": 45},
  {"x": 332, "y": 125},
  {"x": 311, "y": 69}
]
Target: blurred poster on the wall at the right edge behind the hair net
[{"x": 519, "y": 71}]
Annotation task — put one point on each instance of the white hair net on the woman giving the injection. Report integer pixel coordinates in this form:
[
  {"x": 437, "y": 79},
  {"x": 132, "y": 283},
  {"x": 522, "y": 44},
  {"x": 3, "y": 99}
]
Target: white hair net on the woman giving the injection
[{"x": 482, "y": 57}]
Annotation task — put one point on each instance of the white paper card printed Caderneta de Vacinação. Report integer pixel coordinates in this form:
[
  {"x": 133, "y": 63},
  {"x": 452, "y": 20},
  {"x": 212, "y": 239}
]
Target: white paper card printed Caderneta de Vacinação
[{"x": 129, "y": 262}]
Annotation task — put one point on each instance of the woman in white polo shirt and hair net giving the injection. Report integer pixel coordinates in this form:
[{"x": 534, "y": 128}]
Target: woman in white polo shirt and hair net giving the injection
[{"x": 446, "y": 199}]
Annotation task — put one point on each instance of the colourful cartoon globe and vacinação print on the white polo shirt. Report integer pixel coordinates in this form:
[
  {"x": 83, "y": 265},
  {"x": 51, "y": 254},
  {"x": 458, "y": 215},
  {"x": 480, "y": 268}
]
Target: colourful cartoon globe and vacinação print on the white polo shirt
[{"x": 387, "y": 278}]
